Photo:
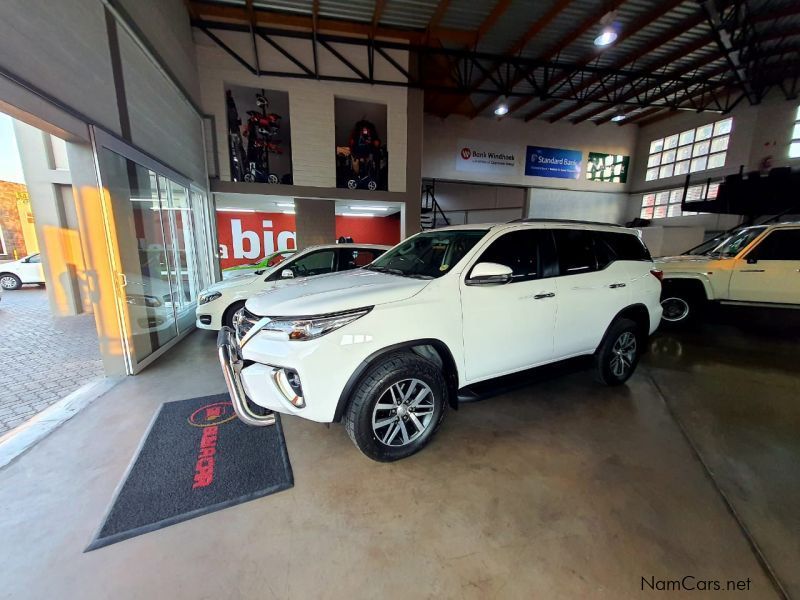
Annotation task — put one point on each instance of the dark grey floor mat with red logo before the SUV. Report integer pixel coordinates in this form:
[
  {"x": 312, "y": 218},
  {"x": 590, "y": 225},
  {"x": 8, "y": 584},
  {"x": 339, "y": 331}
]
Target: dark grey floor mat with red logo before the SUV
[{"x": 196, "y": 457}]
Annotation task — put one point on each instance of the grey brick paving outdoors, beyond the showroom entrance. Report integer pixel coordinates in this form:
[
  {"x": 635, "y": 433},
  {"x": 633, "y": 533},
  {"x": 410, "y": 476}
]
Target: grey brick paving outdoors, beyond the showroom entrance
[{"x": 42, "y": 358}]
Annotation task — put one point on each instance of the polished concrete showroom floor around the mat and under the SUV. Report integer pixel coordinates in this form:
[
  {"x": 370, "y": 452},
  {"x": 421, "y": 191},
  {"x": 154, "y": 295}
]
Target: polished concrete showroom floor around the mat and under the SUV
[{"x": 558, "y": 489}]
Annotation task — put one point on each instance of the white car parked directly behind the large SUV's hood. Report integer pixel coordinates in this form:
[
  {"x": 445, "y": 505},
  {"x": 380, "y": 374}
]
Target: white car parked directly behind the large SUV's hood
[{"x": 217, "y": 304}]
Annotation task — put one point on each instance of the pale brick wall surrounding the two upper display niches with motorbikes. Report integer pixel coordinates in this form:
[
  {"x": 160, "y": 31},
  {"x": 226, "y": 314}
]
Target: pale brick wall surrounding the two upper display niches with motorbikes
[{"x": 310, "y": 105}]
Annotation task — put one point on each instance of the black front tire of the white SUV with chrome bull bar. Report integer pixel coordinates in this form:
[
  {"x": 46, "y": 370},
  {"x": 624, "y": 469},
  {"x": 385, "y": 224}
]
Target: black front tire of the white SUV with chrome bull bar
[{"x": 399, "y": 369}]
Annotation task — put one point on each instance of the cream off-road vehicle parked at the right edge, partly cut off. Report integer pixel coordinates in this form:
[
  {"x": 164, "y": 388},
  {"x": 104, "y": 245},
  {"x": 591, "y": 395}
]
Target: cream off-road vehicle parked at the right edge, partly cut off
[{"x": 756, "y": 266}]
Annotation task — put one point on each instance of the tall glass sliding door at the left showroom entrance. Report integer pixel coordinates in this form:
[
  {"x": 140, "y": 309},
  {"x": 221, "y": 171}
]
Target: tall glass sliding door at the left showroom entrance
[{"x": 150, "y": 220}]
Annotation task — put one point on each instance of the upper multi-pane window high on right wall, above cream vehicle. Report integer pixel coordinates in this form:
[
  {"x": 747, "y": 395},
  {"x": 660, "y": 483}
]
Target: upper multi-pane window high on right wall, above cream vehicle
[{"x": 699, "y": 151}]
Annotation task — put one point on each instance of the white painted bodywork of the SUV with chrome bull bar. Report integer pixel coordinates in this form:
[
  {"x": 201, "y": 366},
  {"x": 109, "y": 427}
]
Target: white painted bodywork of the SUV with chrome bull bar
[{"x": 484, "y": 319}]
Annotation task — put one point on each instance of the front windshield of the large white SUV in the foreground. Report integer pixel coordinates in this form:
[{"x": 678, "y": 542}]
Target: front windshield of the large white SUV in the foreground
[{"x": 428, "y": 255}]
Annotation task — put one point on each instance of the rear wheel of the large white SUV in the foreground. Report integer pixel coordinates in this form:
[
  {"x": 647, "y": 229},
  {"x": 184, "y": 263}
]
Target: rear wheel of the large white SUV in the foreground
[{"x": 614, "y": 347}]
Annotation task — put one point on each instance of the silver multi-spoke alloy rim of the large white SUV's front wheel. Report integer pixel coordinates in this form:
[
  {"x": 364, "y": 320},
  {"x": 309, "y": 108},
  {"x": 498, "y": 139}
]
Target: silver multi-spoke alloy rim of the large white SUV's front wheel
[{"x": 403, "y": 412}]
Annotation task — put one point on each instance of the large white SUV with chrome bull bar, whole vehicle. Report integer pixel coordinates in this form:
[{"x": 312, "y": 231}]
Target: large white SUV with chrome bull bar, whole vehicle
[{"x": 387, "y": 347}]
